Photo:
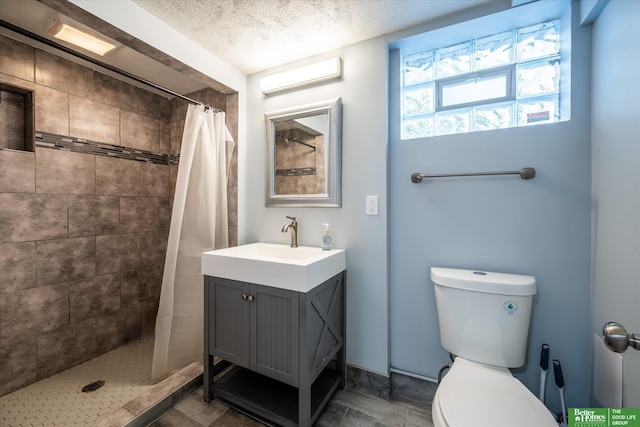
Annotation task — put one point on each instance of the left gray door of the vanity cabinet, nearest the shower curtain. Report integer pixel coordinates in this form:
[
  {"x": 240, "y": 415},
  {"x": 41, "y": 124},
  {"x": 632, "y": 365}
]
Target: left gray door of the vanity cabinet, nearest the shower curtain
[{"x": 229, "y": 331}]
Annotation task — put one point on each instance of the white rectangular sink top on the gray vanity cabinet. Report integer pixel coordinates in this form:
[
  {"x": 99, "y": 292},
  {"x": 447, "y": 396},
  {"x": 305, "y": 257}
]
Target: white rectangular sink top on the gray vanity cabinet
[{"x": 297, "y": 269}]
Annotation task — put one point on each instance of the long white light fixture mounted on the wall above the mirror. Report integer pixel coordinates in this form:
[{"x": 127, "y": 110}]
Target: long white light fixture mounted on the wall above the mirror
[{"x": 308, "y": 74}]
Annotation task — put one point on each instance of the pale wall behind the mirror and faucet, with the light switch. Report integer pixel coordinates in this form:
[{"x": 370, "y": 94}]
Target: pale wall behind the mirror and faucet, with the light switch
[{"x": 364, "y": 155}]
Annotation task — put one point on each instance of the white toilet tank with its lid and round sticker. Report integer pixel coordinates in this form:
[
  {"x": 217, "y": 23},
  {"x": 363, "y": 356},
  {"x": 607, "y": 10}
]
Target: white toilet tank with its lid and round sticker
[{"x": 484, "y": 316}]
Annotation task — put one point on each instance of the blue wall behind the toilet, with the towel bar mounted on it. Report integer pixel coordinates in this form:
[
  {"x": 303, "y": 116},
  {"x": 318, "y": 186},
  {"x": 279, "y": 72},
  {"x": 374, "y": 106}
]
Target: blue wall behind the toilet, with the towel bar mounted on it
[{"x": 539, "y": 227}]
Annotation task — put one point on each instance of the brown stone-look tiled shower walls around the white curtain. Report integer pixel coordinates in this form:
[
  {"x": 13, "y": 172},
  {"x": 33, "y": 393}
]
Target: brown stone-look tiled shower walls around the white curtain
[{"x": 83, "y": 236}]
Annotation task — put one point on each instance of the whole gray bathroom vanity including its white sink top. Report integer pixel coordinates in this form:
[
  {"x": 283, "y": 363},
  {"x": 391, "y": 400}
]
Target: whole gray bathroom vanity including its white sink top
[{"x": 283, "y": 338}]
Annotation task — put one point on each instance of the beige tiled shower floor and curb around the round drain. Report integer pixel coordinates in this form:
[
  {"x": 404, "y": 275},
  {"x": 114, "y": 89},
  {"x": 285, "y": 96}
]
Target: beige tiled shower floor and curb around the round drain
[{"x": 128, "y": 398}]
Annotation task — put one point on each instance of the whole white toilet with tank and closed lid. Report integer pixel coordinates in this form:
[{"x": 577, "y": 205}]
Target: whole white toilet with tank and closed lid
[{"x": 484, "y": 323}]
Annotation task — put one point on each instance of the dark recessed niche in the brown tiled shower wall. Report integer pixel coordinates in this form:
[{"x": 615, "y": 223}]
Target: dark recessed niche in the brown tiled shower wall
[{"x": 17, "y": 115}]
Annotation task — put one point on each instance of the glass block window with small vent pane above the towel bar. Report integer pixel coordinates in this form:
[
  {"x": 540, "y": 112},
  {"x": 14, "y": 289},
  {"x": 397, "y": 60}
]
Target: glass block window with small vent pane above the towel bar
[{"x": 499, "y": 81}]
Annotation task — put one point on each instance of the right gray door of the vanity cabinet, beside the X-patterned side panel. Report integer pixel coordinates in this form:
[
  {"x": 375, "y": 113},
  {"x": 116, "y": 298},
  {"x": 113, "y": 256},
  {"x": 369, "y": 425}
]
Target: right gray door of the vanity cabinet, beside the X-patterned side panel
[{"x": 274, "y": 333}]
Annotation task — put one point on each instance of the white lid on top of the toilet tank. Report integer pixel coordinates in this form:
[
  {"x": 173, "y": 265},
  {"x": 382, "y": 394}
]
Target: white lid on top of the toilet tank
[{"x": 484, "y": 281}]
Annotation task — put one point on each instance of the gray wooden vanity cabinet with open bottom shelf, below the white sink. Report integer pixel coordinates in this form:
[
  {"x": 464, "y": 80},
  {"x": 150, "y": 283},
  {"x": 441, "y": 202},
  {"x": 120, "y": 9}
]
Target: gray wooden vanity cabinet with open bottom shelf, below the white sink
[{"x": 285, "y": 348}]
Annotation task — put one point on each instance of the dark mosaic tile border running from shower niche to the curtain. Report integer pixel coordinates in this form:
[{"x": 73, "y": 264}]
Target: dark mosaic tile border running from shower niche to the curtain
[{"x": 79, "y": 145}]
